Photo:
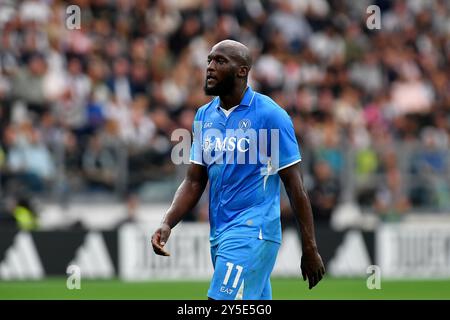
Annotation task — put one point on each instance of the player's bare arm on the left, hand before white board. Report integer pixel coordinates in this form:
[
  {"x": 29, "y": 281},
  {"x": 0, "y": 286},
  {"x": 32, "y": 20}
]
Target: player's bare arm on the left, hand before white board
[{"x": 186, "y": 197}]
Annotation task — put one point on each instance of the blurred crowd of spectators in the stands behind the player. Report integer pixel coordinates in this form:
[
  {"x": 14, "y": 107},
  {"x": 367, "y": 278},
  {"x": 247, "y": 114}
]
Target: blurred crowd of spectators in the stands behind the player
[{"x": 89, "y": 108}]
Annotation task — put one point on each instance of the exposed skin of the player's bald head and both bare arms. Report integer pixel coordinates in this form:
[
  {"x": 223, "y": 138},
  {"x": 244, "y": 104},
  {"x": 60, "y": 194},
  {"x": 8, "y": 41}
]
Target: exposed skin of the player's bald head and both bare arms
[{"x": 228, "y": 65}]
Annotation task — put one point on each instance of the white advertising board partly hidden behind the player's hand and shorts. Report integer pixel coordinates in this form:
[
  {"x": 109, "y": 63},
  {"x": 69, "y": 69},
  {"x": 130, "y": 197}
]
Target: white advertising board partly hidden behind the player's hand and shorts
[{"x": 190, "y": 256}]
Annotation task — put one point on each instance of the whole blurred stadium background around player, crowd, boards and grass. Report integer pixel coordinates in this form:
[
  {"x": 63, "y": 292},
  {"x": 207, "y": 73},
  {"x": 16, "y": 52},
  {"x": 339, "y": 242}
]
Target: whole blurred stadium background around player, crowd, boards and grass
[{"x": 86, "y": 117}]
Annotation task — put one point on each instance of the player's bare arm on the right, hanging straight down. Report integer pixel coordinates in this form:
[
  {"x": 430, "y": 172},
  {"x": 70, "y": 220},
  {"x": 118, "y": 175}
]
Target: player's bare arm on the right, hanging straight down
[{"x": 311, "y": 264}]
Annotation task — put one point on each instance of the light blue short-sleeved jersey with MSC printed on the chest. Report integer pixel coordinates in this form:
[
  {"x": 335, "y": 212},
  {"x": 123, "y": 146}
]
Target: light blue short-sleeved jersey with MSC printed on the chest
[{"x": 243, "y": 153}]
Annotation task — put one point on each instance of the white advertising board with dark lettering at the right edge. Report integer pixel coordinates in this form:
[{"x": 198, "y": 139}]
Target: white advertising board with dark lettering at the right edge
[{"x": 413, "y": 250}]
